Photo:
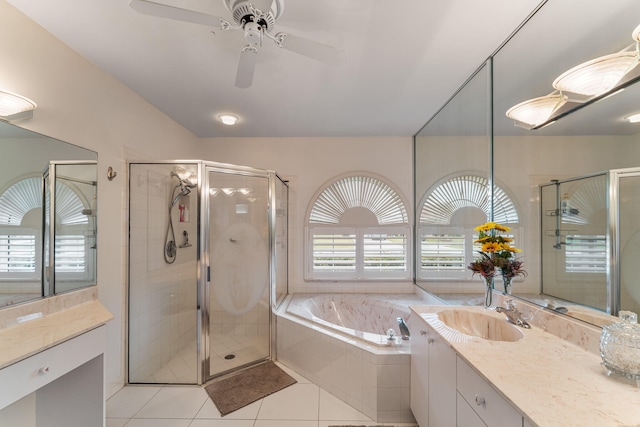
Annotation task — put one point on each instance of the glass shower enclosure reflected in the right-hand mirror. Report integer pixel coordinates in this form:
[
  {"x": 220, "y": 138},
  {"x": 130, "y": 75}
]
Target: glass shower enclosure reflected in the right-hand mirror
[{"x": 590, "y": 240}]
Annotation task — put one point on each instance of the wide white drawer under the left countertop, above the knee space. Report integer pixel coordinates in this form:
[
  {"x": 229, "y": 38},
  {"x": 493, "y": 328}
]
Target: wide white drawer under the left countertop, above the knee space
[{"x": 28, "y": 375}]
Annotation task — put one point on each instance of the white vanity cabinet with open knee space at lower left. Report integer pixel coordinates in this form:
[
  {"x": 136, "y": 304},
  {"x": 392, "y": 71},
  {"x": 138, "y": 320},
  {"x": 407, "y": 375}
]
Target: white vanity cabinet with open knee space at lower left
[{"x": 62, "y": 386}]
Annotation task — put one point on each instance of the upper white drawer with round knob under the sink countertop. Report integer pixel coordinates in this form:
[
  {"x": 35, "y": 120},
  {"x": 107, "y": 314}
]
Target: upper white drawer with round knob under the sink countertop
[{"x": 492, "y": 408}]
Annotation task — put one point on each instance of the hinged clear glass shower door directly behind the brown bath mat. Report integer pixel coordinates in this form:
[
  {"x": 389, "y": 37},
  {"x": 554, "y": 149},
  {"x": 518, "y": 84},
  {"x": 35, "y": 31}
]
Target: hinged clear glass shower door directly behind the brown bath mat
[{"x": 239, "y": 269}]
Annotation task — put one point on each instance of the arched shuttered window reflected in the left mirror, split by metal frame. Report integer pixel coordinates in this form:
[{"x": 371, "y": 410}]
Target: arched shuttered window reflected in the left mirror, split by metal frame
[{"x": 21, "y": 231}]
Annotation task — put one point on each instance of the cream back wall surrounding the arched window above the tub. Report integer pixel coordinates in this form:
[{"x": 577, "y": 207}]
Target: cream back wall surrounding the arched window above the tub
[{"x": 308, "y": 163}]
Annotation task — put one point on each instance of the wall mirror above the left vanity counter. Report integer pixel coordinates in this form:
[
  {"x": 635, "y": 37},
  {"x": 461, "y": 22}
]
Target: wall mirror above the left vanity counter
[{"x": 40, "y": 256}]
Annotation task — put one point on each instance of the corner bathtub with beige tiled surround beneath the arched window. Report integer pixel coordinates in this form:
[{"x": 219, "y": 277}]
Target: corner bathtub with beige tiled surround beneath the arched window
[{"x": 339, "y": 342}]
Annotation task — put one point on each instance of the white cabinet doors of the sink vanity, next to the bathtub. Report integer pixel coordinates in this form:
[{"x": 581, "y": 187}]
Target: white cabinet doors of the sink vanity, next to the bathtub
[{"x": 433, "y": 376}]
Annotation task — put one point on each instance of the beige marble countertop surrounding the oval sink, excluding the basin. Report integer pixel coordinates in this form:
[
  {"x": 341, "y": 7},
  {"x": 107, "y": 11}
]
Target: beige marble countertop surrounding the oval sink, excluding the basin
[{"x": 551, "y": 381}]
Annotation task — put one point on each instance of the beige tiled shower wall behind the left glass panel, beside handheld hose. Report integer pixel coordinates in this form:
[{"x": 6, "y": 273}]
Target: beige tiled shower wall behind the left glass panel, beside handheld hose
[{"x": 162, "y": 299}]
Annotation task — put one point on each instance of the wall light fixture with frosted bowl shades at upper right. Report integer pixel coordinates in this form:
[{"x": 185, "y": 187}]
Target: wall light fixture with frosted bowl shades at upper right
[{"x": 585, "y": 83}]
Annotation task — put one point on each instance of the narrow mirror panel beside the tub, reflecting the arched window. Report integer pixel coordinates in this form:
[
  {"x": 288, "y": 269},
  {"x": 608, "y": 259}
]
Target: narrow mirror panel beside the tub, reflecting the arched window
[{"x": 452, "y": 172}]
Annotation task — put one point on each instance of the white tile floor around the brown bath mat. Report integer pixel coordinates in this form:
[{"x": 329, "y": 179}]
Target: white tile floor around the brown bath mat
[{"x": 301, "y": 405}]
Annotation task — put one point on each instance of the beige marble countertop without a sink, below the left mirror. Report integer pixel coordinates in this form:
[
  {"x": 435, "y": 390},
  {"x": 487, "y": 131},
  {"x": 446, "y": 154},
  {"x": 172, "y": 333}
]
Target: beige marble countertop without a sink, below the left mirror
[{"x": 37, "y": 332}]
